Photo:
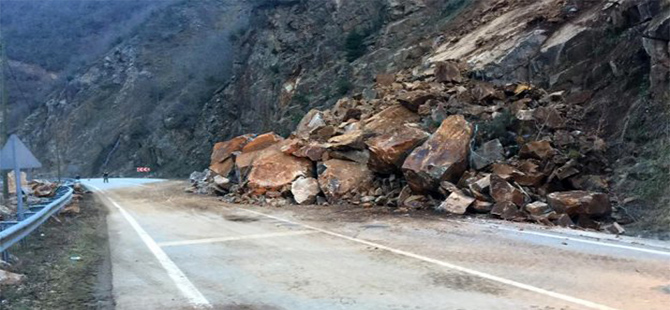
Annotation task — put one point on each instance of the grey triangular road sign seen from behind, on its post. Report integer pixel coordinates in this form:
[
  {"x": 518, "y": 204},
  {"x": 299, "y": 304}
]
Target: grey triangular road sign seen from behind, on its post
[{"x": 15, "y": 155}]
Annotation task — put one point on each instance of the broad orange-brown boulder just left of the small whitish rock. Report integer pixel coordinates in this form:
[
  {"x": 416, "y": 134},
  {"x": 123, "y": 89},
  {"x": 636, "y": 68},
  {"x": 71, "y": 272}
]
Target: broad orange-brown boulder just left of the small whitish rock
[{"x": 276, "y": 170}]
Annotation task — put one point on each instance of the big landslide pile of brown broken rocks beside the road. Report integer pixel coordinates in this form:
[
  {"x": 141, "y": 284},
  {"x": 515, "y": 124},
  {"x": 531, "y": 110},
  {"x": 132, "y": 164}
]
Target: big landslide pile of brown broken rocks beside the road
[{"x": 430, "y": 139}]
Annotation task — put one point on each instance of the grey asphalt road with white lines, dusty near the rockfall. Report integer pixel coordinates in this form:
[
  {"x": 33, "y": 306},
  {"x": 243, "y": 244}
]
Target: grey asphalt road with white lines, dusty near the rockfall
[{"x": 172, "y": 250}]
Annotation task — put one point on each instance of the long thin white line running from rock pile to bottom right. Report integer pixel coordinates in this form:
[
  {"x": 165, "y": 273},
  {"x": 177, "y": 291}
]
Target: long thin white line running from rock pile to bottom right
[{"x": 574, "y": 300}]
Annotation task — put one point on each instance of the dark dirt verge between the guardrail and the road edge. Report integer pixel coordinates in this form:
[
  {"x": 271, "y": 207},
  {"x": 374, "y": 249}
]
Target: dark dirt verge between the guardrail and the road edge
[{"x": 66, "y": 264}]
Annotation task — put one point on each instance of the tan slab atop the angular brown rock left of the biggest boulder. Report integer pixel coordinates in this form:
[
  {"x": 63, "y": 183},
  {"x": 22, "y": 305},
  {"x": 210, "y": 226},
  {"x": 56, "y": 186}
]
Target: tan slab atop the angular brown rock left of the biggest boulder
[{"x": 389, "y": 120}]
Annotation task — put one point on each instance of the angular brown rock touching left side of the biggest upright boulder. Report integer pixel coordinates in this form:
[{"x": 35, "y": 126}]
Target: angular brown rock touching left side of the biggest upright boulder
[{"x": 389, "y": 151}]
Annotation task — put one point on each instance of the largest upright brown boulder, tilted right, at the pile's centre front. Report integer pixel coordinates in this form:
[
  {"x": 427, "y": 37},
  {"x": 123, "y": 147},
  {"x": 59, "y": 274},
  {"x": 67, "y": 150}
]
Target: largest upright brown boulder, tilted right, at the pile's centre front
[{"x": 444, "y": 156}]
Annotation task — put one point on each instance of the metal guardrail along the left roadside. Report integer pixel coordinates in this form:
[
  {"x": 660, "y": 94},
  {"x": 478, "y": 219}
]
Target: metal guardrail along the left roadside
[{"x": 35, "y": 216}]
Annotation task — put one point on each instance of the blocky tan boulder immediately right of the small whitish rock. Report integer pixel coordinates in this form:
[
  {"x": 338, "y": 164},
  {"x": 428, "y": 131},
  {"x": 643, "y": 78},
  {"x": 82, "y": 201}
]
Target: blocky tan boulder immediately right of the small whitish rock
[{"x": 343, "y": 177}]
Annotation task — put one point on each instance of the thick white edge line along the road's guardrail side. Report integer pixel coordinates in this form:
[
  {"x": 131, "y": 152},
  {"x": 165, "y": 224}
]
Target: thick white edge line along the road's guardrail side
[{"x": 178, "y": 277}]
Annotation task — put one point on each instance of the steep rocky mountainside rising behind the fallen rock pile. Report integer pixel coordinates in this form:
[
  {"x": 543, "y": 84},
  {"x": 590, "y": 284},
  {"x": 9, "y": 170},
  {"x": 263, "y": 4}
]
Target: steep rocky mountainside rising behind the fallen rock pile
[{"x": 288, "y": 56}]
